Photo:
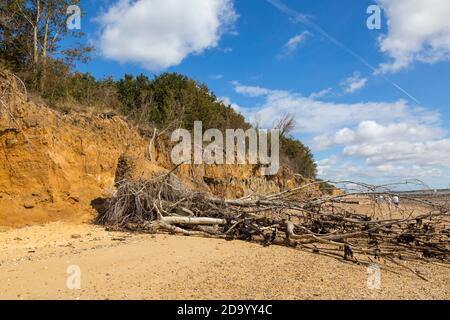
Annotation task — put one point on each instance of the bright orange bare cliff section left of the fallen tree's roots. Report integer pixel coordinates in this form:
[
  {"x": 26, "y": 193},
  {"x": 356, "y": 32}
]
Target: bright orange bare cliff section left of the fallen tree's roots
[{"x": 51, "y": 164}]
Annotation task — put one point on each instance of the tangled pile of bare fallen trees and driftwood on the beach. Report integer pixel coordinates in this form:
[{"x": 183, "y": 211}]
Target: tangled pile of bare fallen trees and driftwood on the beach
[{"x": 328, "y": 224}]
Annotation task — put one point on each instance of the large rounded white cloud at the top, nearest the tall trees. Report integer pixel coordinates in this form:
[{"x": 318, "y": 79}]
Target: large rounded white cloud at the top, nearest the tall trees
[{"x": 158, "y": 34}]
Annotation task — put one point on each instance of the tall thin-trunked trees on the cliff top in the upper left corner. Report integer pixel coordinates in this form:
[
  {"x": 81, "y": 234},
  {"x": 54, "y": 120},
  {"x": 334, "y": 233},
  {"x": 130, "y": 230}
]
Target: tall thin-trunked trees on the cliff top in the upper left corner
[{"x": 31, "y": 32}]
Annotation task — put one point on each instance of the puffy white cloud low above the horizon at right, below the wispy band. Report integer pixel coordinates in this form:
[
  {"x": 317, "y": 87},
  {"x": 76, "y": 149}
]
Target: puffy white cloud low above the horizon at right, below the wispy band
[{"x": 396, "y": 150}]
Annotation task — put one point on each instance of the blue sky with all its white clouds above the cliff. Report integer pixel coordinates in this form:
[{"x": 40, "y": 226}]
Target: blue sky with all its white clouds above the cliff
[{"x": 372, "y": 104}]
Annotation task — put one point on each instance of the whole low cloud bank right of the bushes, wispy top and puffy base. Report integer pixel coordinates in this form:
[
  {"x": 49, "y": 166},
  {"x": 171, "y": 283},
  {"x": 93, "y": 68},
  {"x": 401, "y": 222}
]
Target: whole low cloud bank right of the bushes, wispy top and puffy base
[{"x": 371, "y": 141}]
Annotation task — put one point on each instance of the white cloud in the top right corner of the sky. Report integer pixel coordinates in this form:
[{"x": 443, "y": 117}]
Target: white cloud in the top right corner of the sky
[{"x": 419, "y": 30}]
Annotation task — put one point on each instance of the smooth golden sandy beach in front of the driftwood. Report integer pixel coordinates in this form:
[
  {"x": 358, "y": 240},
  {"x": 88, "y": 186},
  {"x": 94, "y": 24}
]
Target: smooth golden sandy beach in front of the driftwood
[{"x": 34, "y": 261}]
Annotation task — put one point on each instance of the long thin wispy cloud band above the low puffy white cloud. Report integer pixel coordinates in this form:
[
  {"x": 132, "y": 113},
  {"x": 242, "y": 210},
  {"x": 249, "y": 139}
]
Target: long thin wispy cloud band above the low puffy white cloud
[{"x": 319, "y": 117}]
